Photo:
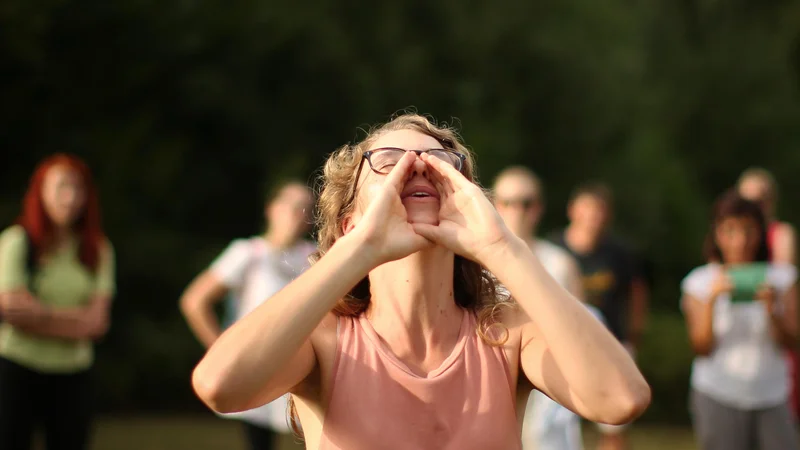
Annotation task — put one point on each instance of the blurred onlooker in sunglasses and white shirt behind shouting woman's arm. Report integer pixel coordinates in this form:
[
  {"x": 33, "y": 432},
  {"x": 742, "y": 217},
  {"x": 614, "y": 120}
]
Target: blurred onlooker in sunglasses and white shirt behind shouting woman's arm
[{"x": 517, "y": 193}]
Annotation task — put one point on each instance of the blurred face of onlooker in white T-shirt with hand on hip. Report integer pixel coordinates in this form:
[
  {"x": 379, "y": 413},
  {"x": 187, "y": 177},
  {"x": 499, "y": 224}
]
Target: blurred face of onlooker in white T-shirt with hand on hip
[{"x": 289, "y": 212}]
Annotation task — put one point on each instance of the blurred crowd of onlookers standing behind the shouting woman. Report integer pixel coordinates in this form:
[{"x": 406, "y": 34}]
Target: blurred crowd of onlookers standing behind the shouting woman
[{"x": 740, "y": 307}]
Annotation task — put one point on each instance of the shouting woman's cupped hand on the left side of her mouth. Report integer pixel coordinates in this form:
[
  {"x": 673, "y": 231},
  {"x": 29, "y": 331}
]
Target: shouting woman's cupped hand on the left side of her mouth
[{"x": 384, "y": 225}]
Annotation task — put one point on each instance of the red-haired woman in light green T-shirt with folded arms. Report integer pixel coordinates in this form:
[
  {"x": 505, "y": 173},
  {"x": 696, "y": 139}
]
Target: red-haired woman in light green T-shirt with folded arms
[{"x": 56, "y": 285}]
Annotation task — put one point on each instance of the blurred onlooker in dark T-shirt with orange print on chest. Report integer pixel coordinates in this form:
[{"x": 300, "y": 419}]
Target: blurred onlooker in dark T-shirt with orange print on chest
[{"x": 611, "y": 277}]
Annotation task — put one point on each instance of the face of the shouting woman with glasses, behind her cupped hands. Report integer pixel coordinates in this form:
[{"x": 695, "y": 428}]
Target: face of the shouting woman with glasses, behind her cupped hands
[{"x": 419, "y": 209}]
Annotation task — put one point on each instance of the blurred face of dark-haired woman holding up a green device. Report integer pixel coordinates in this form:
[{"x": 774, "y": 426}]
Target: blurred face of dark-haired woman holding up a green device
[{"x": 738, "y": 239}]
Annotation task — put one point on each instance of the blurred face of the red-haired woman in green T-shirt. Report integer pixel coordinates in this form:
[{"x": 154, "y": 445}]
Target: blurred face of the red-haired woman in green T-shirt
[{"x": 63, "y": 195}]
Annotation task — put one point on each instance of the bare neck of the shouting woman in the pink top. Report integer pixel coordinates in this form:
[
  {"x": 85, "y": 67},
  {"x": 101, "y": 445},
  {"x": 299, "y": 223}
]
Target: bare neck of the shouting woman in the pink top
[{"x": 413, "y": 307}]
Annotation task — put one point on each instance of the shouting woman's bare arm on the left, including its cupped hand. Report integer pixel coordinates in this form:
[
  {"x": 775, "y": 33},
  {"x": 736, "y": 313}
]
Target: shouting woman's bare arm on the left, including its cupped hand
[{"x": 270, "y": 351}]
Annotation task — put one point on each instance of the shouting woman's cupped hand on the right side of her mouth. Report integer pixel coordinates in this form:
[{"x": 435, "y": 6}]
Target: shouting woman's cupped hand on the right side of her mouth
[{"x": 468, "y": 222}]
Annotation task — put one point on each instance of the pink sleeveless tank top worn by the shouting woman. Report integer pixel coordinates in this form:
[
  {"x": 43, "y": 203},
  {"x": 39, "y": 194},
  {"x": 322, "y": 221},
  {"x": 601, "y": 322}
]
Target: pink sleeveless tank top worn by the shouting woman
[{"x": 378, "y": 403}]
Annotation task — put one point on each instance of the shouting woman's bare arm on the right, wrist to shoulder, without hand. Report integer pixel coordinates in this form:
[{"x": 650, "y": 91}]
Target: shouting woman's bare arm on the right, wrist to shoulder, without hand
[{"x": 567, "y": 352}]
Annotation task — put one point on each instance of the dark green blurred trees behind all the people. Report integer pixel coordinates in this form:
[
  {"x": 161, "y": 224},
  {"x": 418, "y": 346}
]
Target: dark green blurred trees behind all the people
[{"x": 188, "y": 110}]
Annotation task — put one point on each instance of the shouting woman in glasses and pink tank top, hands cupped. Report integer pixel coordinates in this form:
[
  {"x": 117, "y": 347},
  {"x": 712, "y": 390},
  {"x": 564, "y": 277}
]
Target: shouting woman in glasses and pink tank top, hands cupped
[{"x": 396, "y": 337}]
